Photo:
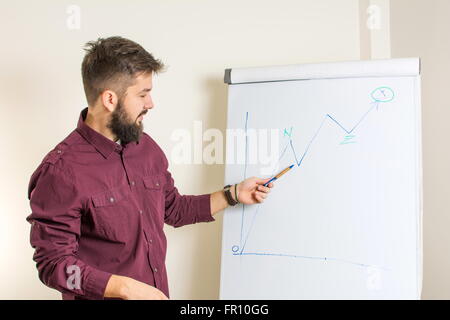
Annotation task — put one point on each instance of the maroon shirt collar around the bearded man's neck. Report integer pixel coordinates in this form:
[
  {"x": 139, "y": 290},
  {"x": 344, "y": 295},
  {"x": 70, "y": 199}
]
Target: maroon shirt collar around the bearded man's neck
[{"x": 102, "y": 144}]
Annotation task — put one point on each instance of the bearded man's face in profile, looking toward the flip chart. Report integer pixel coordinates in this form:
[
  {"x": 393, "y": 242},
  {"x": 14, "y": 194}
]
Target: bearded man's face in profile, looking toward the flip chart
[{"x": 126, "y": 120}]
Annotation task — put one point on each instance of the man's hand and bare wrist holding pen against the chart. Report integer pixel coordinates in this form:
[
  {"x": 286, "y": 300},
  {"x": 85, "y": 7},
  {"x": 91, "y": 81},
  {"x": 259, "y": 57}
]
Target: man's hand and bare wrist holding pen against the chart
[{"x": 249, "y": 191}]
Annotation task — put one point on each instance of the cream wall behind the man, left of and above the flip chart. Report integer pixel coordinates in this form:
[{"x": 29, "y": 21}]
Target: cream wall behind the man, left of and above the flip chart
[{"x": 41, "y": 97}]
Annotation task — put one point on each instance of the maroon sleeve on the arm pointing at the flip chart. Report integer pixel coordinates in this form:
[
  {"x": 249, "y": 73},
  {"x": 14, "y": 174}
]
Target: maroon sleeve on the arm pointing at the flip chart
[{"x": 181, "y": 210}]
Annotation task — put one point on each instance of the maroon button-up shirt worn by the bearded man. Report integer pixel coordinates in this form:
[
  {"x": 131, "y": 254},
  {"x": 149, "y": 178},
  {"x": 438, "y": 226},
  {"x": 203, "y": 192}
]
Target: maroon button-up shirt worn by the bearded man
[{"x": 98, "y": 208}]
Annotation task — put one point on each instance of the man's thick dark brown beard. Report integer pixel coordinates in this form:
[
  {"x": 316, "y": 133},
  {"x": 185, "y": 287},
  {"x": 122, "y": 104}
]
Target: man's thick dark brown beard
[{"x": 123, "y": 127}]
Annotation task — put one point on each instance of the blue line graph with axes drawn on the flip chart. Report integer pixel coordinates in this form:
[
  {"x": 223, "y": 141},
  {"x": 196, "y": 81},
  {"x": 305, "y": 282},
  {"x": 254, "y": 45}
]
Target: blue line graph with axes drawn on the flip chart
[{"x": 379, "y": 95}]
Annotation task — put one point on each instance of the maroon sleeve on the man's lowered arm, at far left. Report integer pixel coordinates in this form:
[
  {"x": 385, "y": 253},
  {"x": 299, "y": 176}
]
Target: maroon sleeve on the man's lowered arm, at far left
[{"x": 55, "y": 219}]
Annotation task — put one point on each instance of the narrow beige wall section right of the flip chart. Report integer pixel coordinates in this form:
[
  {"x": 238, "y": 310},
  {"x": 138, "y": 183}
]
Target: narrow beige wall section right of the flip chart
[{"x": 421, "y": 28}]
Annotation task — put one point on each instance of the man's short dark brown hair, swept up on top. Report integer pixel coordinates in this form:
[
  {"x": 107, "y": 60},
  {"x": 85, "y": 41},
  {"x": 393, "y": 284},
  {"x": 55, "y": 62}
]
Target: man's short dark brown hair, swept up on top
[{"x": 113, "y": 64}]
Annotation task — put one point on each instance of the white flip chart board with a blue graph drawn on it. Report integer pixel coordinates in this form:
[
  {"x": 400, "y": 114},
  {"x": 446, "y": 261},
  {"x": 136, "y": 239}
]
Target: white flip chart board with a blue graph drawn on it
[{"x": 346, "y": 221}]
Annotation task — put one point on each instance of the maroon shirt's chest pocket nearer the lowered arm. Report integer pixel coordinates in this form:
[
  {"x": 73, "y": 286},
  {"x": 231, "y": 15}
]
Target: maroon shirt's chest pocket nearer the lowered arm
[{"x": 112, "y": 214}]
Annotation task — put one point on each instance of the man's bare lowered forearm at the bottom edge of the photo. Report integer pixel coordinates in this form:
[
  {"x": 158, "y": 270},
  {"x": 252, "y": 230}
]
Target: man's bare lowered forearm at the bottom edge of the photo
[{"x": 129, "y": 289}]
